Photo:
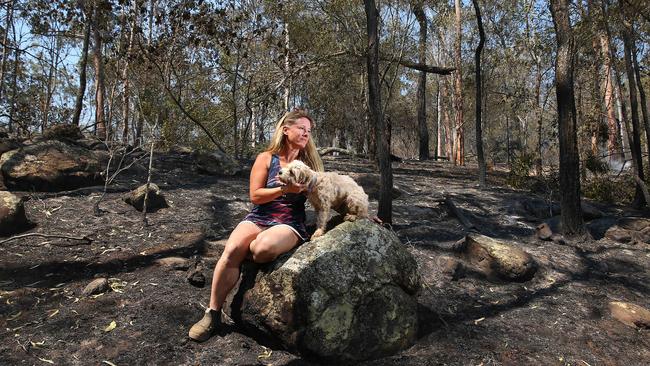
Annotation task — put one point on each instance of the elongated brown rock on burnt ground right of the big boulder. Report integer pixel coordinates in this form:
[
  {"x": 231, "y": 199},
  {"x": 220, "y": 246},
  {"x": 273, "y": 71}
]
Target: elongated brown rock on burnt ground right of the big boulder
[{"x": 497, "y": 259}]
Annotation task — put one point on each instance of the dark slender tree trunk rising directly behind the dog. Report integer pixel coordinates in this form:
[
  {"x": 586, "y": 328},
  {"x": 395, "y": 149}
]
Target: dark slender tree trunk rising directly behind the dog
[{"x": 382, "y": 130}]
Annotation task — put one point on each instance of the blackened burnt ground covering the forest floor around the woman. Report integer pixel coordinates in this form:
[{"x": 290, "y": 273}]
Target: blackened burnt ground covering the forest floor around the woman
[{"x": 560, "y": 317}]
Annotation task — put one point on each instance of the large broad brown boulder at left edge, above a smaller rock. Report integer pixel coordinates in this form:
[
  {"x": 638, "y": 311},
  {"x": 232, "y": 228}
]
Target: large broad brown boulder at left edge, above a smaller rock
[{"x": 50, "y": 166}]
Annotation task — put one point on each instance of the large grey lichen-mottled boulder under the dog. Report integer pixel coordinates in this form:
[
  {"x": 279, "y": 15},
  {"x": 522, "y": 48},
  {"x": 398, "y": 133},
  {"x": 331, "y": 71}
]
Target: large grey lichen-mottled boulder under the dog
[{"x": 345, "y": 297}]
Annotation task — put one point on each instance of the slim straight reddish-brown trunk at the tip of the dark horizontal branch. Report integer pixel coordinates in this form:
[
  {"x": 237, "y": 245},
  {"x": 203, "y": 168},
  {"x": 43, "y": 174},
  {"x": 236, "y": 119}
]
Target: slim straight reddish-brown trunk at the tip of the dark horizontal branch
[{"x": 459, "y": 141}]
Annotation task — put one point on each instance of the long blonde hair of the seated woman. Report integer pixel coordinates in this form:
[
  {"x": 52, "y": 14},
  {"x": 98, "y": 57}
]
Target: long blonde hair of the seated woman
[{"x": 309, "y": 155}]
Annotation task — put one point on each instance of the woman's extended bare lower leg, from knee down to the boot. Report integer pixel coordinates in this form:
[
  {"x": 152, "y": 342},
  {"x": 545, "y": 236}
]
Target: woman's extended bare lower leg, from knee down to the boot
[{"x": 226, "y": 272}]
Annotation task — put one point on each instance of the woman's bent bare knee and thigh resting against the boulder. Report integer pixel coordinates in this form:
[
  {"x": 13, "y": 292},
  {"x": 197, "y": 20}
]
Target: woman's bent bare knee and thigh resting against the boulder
[{"x": 272, "y": 242}]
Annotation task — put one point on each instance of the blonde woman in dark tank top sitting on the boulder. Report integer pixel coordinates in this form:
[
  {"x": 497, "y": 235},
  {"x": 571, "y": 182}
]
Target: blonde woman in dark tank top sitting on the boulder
[{"x": 277, "y": 222}]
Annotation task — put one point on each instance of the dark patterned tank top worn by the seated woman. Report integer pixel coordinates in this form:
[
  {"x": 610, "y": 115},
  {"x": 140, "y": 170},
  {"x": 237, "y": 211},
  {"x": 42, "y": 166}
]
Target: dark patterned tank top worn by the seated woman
[{"x": 288, "y": 209}]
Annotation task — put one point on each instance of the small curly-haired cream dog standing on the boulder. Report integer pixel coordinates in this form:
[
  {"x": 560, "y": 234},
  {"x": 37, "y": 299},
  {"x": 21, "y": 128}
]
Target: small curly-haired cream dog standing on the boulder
[{"x": 327, "y": 191}]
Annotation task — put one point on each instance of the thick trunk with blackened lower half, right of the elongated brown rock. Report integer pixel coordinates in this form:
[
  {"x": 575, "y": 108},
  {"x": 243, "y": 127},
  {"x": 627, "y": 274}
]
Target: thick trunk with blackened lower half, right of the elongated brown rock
[{"x": 569, "y": 157}]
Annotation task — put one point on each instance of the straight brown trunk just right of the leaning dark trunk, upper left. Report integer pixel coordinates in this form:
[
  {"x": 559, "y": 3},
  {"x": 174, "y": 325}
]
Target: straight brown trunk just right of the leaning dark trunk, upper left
[{"x": 100, "y": 93}]
